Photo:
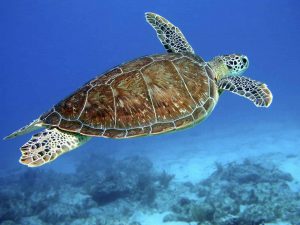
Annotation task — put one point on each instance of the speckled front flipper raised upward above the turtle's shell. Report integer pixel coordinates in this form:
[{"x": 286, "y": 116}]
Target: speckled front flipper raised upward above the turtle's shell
[{"x": 169, "y": 35}]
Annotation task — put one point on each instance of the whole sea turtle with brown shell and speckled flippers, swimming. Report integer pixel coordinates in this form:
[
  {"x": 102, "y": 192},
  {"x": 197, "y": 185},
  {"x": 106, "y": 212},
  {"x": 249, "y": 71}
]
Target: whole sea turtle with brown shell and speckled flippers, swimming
[{"x": 150, "y": 95}]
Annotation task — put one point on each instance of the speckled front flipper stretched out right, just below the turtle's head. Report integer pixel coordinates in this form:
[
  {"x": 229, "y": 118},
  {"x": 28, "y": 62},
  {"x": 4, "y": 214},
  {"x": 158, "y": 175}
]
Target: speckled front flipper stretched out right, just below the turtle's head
[{"x": 254, "y": 90}]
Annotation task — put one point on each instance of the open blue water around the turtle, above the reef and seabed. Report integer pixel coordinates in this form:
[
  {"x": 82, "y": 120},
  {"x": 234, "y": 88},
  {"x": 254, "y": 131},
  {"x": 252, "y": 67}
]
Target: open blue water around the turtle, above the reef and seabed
[{"x": 48, "y": 49}]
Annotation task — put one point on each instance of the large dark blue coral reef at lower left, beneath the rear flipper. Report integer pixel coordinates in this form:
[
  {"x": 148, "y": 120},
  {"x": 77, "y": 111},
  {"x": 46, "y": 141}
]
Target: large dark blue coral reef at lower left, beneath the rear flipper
[{"x": 105, "y": 191}]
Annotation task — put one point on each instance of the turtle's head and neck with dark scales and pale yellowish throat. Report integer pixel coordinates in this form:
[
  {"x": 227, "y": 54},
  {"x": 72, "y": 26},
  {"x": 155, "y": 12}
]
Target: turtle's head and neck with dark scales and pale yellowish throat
[{"x": 229, "y": 65}]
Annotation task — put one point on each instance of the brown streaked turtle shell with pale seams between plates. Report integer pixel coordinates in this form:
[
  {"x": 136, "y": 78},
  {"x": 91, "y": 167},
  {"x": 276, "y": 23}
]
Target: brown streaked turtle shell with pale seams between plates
[{"x": 149, "y": 95}]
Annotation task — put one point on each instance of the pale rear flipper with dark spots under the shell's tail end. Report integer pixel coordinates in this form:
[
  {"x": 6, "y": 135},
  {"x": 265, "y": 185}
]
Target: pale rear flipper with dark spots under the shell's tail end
[{"x": 47, "y": 145}]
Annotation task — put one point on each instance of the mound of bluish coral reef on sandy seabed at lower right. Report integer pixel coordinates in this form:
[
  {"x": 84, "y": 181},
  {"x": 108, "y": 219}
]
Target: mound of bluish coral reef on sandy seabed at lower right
[{"x": 241, "y": 194}]
